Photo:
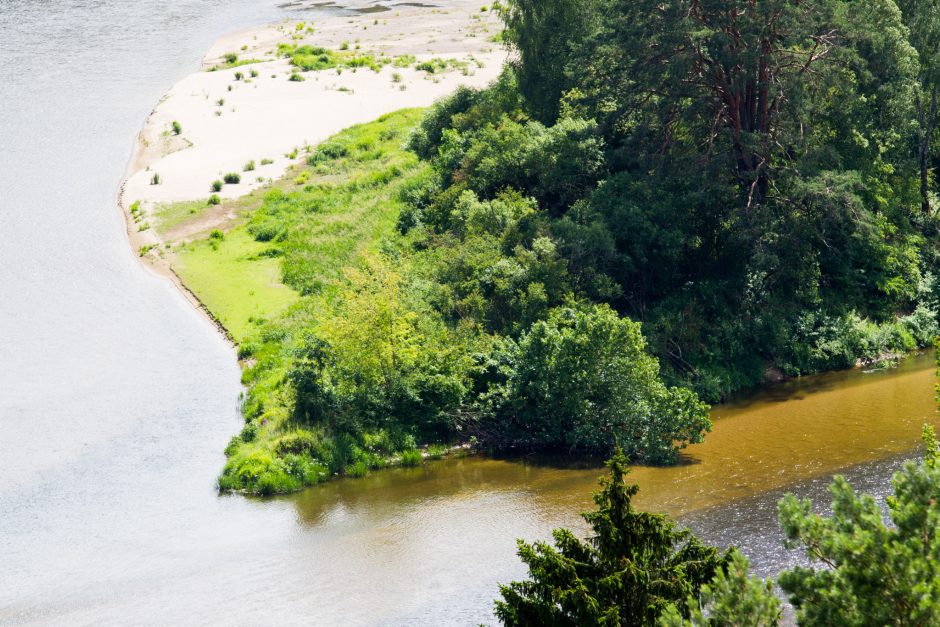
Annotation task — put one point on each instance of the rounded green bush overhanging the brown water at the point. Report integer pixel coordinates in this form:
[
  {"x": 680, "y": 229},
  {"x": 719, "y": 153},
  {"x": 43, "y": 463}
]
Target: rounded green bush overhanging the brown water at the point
[{"x": 582, "y": 379}]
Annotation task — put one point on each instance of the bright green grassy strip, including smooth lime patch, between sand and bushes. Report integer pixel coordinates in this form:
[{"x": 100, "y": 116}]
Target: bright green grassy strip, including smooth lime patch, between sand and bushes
[{"x": 271, "y": 273}]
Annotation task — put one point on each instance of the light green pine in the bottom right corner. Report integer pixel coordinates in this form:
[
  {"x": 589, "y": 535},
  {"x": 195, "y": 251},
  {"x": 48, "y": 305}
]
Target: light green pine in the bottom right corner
[{"x": 872, "y": 573}]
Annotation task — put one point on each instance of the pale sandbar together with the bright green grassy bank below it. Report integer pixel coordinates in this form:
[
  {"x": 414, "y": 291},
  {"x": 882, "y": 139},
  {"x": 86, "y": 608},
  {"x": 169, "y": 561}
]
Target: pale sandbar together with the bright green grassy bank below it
[{"x": 246, "y": 126}]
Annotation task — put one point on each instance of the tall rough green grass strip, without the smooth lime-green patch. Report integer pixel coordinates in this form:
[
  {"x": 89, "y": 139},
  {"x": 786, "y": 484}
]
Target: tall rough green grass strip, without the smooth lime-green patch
[{"x": 348, "y": 207}]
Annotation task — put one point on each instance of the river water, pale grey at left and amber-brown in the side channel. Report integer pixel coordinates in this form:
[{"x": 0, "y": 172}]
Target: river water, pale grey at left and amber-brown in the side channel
[{"x": 116, "y": 399}]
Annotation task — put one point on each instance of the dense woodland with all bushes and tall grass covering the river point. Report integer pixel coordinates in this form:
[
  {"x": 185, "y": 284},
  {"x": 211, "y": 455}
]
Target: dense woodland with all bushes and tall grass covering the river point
[{"x": 655, "y": 205}]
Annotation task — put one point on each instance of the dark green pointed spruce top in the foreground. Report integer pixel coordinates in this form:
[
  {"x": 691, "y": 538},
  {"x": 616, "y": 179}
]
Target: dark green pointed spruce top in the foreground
[{"x": 634, "y": 566}]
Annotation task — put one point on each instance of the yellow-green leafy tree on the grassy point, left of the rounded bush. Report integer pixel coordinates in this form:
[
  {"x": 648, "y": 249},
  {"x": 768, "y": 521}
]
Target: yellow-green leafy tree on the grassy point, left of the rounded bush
[{"x": 378, "y": 360}]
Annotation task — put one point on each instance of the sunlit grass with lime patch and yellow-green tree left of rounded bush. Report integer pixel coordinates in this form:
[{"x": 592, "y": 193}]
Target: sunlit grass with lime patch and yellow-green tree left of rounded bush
[{"x": 289, "y": 281}]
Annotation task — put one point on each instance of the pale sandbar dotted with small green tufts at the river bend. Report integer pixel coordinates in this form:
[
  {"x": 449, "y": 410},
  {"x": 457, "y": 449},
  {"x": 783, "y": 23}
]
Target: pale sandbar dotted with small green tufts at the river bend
[{"x": 227, "y": 117}]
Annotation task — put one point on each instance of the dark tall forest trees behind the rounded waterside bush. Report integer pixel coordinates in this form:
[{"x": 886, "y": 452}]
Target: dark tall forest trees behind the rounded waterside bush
[{"x": 733, "y": 175}]
